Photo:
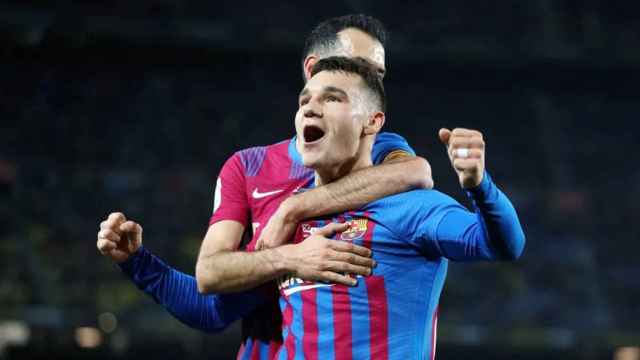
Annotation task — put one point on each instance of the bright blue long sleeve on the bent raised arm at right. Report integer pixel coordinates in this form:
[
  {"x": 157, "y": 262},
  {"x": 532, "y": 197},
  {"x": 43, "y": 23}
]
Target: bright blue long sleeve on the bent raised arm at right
[{"x": 444, "y": 228}]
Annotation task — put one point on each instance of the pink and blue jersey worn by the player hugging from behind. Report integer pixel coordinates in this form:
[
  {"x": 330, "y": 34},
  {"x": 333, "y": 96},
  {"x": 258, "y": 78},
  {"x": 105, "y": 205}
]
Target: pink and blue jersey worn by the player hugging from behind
[{"x": 250, "y": 187}]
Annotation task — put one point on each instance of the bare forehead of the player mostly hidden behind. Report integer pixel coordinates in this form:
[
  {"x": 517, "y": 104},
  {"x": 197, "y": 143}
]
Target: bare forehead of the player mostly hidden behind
[{"x": 357, "y": 43}]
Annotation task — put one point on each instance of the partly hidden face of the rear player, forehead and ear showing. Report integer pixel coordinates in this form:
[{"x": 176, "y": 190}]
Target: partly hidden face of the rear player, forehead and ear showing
[{"x": 354, "y": 43}]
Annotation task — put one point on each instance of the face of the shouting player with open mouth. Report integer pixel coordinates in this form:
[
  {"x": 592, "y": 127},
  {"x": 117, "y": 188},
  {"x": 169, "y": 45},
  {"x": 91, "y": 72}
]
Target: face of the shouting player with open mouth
[{"x": 330, "y": 120}]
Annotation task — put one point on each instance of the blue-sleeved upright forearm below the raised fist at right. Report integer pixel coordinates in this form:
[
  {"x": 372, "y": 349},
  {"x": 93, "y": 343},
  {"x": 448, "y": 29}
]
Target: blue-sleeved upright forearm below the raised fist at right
[{"x": 499, "y": 219}]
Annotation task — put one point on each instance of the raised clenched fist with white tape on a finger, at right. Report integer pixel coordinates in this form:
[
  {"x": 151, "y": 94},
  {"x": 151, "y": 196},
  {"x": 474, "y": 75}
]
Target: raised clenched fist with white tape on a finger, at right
[{"x": 466, "y": 152}]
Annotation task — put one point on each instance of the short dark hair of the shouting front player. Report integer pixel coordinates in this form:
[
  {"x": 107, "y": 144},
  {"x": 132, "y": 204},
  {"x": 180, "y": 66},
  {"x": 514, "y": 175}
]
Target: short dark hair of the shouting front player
[{"x": 360, "y": 67}]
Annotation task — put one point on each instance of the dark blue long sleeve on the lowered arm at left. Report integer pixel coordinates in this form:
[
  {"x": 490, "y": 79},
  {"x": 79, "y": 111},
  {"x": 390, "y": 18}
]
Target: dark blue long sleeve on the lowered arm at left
[{"x": 178, "y": 293}]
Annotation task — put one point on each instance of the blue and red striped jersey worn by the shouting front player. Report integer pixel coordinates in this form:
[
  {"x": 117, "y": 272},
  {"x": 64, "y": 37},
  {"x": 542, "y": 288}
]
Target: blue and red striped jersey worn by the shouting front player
[{"x": 392, "y": 314}]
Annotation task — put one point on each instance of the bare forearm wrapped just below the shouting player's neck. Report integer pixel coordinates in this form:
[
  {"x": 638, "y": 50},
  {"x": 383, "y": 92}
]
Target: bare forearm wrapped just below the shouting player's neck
[{"x": 360, "y": 188}]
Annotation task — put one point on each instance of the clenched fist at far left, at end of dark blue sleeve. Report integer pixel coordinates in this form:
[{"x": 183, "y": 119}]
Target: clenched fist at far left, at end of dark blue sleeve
[{"x": 118, "y": 237}]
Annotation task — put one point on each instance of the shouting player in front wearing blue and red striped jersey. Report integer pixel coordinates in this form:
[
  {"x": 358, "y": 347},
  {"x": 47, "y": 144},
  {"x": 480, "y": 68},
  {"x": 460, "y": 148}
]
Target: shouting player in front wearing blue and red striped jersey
[{"x": 390, "y": 314}]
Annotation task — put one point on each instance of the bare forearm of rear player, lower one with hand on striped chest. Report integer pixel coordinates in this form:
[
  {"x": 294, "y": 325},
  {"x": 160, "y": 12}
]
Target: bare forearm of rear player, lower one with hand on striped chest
[{"x": 231, "y": 271}]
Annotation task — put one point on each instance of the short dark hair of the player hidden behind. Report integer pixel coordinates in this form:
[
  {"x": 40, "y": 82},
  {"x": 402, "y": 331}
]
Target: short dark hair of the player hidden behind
[{"x": 325, "y": 35}]
